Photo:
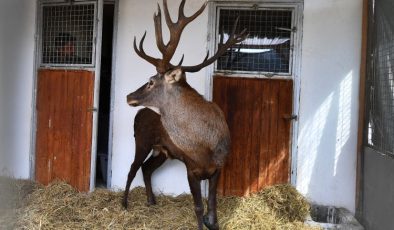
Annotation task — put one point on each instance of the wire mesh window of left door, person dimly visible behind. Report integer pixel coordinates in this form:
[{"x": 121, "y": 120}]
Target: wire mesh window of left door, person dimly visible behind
[{"x": 67, "y": 34}]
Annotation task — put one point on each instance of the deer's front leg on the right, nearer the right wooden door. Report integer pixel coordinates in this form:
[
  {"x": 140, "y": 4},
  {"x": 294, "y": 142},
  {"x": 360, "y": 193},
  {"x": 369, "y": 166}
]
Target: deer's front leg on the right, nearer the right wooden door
[{"x": 211, "y": 220}]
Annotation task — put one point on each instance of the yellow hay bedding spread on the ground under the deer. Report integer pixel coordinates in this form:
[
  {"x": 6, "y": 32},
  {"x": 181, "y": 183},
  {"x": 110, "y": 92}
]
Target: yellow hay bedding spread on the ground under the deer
[{"x": 59, "y": 206}]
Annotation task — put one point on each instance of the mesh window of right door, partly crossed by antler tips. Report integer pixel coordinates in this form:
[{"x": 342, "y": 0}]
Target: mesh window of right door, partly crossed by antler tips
[{"x": 268, "y": 47}]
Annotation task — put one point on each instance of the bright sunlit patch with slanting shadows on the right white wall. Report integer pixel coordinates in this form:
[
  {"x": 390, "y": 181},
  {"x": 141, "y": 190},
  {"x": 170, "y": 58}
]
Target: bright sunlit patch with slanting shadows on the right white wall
[{"x": 329, "y": 155}]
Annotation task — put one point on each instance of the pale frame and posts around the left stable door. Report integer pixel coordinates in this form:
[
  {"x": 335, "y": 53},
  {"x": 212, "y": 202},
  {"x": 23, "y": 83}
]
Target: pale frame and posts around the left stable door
[{"x": 97, "y": 37}]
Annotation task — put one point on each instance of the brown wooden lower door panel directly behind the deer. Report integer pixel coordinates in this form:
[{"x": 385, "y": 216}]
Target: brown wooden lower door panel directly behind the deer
[{"x": 257, "y": 112}]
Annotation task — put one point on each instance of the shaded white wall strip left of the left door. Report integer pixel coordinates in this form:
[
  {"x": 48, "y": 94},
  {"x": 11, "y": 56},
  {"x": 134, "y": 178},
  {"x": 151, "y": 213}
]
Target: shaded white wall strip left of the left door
[{"x": 17, "y": 27}]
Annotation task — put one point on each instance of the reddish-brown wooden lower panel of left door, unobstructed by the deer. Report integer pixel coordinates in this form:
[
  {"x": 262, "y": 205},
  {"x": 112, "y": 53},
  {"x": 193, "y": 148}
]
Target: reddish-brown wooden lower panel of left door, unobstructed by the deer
[{"x": 64, "y": 126}]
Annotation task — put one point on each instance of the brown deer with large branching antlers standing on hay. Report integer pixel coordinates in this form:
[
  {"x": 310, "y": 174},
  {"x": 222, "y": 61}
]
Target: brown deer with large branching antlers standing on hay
[{"x": 192, "y": 129}]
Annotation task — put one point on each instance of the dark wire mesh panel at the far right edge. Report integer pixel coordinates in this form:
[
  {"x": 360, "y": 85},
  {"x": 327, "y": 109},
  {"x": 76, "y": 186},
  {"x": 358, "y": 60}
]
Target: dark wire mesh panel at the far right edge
[{"x": 381, "y": 81}]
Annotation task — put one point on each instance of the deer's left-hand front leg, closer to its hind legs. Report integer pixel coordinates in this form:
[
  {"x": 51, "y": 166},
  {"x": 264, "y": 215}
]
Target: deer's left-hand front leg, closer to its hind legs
[{"x": 195, "y": 188}]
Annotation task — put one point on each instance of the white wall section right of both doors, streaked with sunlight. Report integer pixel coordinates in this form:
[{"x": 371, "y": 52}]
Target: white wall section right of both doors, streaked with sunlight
[{"x": 329, "y": 101}]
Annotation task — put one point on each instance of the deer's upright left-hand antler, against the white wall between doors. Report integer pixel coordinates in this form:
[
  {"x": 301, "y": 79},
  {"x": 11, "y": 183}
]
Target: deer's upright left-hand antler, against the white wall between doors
[{"x": 176, "y": 28}]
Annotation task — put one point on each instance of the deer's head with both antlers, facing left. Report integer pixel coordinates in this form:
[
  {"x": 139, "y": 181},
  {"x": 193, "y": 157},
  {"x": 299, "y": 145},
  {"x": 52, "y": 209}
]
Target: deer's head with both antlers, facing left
[{"x": 170, "y": 77}]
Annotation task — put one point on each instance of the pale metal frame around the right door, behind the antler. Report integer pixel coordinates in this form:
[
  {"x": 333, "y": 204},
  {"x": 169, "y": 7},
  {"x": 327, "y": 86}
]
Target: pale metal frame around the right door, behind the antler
[{"x": 298, "y": 7}]
